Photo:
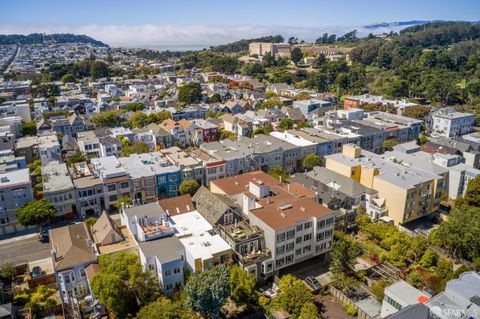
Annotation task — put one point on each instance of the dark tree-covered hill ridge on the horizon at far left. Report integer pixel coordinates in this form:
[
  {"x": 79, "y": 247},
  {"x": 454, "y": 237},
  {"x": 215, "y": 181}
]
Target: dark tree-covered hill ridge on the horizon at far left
[{"x": 46, "y": 38}]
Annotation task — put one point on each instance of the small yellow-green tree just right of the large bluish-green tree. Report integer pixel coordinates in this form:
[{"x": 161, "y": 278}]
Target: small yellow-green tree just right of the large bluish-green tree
[{"x": 242, "y": 287}]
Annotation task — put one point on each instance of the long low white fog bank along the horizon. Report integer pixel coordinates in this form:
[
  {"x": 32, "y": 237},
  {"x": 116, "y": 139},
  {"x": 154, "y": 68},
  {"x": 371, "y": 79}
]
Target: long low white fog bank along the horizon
[{"x": 182, "y": 35}]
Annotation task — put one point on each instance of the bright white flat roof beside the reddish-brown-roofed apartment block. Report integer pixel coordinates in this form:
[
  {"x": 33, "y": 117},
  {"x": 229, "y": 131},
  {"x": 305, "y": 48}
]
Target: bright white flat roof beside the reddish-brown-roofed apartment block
[{"x": 197, "y": 235}]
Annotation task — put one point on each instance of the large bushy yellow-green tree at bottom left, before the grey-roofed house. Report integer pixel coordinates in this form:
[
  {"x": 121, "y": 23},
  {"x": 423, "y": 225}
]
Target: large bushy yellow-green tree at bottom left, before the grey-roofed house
[{"x": 122, "y": 285}]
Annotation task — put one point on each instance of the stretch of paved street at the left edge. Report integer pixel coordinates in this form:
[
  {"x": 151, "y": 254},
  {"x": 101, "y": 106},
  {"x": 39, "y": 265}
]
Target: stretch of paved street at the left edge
[{"x": 23, "y": 250}]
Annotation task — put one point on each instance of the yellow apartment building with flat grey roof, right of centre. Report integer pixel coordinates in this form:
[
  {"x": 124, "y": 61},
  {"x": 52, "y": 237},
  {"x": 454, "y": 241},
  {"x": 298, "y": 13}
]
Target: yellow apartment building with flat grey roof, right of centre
[{"x": 409, "y": 192}]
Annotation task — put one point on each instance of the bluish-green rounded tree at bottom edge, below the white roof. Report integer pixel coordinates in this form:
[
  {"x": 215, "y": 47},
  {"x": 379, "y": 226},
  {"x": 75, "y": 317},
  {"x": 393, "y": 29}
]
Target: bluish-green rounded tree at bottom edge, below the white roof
[{"x": 208, "y": 290}]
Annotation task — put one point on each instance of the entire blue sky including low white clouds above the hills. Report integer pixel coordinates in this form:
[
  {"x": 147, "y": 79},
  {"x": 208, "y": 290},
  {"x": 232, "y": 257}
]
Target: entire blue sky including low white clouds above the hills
[{"x": 138, "y": 22}]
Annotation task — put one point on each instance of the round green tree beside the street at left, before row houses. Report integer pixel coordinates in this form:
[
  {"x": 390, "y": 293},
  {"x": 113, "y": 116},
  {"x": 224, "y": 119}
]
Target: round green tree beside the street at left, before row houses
[{"x": 36, "y": 213}]
